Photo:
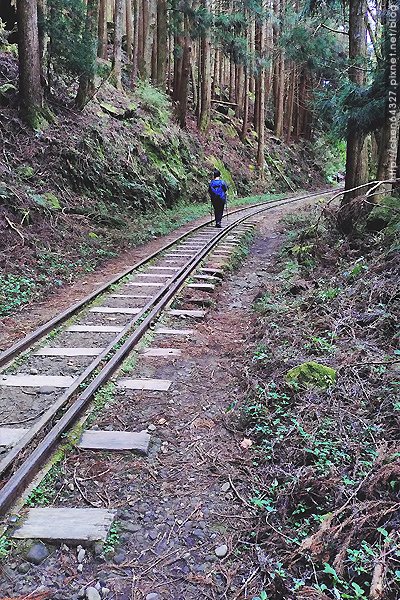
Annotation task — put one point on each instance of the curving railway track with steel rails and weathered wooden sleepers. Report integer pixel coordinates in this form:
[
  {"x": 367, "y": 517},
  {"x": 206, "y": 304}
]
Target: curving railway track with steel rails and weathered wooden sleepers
[{"x": 59, "y": 368}]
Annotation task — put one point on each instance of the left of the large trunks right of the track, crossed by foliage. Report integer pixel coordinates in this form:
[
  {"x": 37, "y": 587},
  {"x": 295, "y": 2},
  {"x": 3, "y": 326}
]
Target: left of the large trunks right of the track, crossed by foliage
[{"x": 355, "y": 137}]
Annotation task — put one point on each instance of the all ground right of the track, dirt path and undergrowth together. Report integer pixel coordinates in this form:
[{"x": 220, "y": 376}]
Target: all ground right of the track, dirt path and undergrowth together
[{"x": 258, "y": 486}]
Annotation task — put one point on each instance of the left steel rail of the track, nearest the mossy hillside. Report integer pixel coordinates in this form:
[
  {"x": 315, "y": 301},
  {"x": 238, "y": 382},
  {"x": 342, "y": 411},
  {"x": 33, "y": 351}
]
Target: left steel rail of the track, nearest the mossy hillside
[{"x": 26, "y": 342}]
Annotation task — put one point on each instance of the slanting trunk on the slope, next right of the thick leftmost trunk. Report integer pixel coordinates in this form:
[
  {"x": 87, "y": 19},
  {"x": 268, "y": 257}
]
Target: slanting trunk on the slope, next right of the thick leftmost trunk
[{"x": 86, "y": 82}]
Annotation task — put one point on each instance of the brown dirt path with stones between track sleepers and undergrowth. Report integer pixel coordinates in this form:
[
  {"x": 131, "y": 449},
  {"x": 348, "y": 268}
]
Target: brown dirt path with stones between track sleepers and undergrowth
[{"x": 183, "y": 519}]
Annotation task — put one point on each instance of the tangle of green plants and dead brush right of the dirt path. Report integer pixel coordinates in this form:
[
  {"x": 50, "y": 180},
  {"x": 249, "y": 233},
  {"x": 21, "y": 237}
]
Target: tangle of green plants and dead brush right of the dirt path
[{"x": 326, "y": 466}]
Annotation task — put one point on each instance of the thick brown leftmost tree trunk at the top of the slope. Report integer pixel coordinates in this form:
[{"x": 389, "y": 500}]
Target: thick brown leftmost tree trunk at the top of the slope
[{"x": 30, "y": 87}]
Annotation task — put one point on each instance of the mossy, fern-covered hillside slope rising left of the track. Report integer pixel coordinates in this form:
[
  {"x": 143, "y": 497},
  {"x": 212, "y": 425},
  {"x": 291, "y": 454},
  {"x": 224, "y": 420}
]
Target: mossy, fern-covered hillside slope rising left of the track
[{"x": 110, "y": 177}]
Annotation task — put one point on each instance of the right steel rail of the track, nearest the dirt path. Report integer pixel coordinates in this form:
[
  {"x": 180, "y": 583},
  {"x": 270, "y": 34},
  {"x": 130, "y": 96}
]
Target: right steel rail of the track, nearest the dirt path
[{"x": 34, "y": 462}]
